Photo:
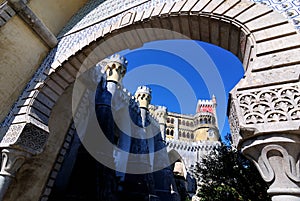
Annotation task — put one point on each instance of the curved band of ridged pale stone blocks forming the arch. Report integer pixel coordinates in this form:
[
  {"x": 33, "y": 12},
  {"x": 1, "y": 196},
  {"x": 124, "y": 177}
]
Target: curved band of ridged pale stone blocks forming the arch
[{"x": 251, "y": 24}]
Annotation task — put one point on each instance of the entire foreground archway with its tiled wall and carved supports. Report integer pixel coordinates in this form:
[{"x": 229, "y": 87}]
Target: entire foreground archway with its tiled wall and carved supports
[{"x": 42, "y": 53}]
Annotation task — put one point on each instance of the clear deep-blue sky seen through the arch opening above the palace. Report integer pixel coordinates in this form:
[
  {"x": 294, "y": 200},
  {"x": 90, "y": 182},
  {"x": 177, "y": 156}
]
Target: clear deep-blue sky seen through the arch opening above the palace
[{"x": 180, "y": 72}]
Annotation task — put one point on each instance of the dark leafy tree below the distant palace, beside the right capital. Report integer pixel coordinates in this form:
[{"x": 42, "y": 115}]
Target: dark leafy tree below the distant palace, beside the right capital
[{"x": 226, "y": 175}]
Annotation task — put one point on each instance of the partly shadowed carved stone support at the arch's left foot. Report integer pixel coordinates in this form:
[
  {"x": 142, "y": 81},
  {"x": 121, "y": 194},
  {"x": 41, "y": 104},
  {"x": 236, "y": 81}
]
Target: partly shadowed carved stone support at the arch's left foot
[{"x": 21, "y": 142}]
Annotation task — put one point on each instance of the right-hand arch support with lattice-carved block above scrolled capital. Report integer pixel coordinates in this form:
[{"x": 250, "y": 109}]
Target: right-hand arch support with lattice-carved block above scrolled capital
[{"x": 265, "y": 124}]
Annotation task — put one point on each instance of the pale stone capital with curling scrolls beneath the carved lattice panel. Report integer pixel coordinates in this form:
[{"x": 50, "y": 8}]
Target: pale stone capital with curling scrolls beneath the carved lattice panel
[{"x": 277, "y": 159}]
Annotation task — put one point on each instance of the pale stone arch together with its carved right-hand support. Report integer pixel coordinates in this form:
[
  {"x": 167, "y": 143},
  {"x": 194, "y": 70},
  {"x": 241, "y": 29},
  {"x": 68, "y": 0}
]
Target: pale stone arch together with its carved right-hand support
[{"x": 264, "y": 108}]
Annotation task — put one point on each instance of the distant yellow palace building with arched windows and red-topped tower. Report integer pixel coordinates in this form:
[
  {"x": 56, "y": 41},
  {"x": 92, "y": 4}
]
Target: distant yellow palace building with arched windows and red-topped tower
[{"x": 187, "y": 127}]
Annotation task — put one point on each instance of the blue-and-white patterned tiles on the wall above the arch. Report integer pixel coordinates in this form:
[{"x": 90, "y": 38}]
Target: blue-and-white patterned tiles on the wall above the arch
[{"x": 96, "y": 15}]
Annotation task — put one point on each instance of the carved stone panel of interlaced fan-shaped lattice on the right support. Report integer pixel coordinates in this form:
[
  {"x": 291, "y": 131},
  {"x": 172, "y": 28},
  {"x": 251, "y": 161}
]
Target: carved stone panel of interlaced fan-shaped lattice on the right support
[{"x": 280, "y": 103}]
